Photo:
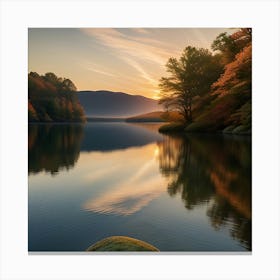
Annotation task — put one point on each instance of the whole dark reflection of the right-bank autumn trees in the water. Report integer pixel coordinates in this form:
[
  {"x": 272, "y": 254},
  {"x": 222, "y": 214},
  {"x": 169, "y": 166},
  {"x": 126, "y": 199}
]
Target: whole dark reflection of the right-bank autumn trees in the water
[{"x": 214, "y": 170}]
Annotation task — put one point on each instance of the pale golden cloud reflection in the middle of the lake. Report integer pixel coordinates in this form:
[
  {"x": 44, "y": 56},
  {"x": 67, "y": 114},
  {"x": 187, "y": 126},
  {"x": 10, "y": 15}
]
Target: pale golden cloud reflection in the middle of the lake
[{"x": 134, "y": 191}]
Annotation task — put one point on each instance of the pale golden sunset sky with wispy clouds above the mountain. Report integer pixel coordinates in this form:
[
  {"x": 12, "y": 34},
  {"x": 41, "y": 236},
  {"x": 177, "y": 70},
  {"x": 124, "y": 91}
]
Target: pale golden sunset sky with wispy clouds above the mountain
[{"x": 130, "y": 60}]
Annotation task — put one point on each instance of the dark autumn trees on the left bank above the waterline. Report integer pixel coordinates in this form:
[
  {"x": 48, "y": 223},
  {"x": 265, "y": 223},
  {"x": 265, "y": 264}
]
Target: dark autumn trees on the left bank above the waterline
[{"x": 52, "y": 99}]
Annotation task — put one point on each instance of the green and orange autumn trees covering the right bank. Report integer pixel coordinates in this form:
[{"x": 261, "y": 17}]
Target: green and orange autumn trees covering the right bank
[{"x": 212, "y": 91}]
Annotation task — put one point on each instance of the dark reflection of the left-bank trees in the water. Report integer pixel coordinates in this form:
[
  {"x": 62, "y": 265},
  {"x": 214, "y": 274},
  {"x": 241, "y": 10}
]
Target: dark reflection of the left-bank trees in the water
[{"x": 53, "y": 147}]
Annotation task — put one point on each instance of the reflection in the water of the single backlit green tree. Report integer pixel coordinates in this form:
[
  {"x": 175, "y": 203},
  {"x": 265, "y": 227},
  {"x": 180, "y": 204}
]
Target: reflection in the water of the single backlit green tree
[{"x": 186, "y": 173}]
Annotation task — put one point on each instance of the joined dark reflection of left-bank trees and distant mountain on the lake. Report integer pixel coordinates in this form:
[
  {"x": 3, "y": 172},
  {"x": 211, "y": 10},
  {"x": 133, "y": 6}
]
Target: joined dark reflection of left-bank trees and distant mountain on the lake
[{"x": 54, "y": 147}]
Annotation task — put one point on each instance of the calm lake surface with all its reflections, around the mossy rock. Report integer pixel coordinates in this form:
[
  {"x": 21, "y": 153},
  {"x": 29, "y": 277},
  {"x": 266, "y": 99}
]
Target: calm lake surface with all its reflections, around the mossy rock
[{"x": 178, "y": 193}]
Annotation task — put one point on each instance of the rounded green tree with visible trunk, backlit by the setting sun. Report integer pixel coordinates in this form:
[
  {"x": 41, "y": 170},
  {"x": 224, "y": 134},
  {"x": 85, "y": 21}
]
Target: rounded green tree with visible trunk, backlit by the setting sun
[{"x": 191, "y": 75}]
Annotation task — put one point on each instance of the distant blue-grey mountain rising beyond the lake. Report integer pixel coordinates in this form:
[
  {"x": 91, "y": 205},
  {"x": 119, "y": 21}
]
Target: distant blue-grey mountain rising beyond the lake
[{"x": 103, "y": 103}]
